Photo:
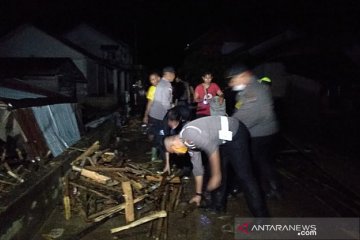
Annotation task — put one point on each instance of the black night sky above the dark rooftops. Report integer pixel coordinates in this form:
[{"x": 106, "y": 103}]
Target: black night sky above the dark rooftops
[{"x": 162, "y": 28}]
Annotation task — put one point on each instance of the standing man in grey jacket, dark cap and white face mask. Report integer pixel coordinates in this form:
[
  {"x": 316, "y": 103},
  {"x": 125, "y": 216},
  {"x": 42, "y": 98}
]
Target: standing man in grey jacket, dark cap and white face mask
[{"x": 254, "y": 107}]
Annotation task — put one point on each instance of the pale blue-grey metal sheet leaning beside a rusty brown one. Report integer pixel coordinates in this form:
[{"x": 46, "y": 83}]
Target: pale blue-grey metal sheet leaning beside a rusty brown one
[{"x": 58, "y": 125}]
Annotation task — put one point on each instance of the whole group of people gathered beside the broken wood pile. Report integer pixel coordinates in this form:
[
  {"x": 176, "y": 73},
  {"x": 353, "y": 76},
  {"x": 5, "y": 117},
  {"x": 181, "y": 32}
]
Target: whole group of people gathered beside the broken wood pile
[{"x": 242, "y": 144}]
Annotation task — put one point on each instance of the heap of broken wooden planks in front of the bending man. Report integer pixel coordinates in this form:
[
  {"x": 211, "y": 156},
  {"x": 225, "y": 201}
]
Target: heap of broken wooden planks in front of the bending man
[{"x": 101, "y": 184}]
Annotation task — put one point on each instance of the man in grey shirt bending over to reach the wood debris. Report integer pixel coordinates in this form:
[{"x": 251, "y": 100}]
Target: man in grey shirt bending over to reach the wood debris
[{"x": 225, "y": 138}]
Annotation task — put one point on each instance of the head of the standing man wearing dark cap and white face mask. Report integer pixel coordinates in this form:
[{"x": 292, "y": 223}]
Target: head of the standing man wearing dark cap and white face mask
[{"x": 239, "y": 76}]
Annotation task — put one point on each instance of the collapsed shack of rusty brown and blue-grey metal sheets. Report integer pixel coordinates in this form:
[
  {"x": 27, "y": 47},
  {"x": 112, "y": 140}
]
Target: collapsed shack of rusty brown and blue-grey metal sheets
[{"x": 35, "y": 121}]
